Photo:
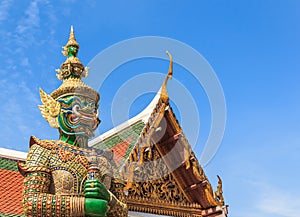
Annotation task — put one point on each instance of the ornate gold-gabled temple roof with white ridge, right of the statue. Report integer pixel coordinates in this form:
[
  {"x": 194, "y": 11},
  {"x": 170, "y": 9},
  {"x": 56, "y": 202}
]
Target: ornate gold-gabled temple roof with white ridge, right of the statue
[{"x": 139, "y": 135}]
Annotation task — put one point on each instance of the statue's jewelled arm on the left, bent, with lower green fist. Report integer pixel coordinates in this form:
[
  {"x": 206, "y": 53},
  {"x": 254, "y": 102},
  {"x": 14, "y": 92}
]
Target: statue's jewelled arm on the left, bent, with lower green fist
[{"x": 38, "y": 198}]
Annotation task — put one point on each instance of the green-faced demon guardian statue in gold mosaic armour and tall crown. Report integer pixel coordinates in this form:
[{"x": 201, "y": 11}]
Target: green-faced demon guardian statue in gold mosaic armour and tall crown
[{"x": 63, "y": 178}]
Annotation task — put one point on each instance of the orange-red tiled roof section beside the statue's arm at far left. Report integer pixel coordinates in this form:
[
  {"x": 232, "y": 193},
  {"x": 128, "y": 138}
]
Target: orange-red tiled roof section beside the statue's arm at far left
[{"x": 11, "y": 192}]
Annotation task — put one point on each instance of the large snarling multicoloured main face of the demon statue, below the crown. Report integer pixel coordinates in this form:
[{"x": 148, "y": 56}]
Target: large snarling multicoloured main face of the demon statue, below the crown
[{"x": 78, "y": 116}]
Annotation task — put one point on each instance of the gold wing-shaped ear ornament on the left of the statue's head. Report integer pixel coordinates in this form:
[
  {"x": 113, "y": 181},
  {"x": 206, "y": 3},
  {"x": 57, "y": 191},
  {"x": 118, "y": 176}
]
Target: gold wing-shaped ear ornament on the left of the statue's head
[{"x": 50, "y": 109}]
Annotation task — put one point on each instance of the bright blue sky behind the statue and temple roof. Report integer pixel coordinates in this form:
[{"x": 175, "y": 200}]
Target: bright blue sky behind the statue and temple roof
[{"x": 253, "y": 47}]
